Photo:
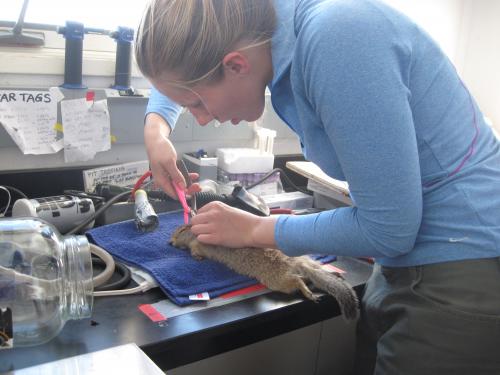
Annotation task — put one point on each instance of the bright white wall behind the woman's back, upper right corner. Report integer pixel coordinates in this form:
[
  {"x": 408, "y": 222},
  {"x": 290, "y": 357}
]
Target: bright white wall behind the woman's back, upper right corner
[{"x": 469, "y": 32}]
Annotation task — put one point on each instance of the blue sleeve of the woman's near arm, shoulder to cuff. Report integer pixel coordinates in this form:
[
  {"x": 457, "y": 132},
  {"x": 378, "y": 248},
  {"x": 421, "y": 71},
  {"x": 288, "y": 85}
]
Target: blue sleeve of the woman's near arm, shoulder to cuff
[{"x": 355, "y": 72}]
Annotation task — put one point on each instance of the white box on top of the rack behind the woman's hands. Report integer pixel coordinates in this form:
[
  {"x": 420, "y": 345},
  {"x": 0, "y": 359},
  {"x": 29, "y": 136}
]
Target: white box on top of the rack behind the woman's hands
[{"x": 244, "y": 160}]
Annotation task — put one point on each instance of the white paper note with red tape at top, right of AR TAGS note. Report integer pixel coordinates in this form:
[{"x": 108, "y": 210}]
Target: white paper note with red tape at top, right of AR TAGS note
[{"x": 86, "y": 127}]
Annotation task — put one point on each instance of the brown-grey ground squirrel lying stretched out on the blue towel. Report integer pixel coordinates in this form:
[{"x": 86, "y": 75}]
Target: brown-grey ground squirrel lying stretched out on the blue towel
[{"x": 274, "y": 269}]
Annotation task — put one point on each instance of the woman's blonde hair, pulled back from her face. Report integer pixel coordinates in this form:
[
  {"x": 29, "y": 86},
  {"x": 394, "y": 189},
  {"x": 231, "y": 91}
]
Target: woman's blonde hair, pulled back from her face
[{"x": 191, "y": 37}]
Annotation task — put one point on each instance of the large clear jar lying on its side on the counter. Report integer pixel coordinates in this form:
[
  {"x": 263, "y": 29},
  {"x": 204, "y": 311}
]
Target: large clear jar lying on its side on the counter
[{"x": 45, "y": 280}]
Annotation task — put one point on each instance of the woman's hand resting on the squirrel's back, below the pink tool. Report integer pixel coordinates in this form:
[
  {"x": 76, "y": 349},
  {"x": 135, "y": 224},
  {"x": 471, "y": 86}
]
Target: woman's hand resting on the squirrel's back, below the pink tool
[{"x": 219, "y": 224}]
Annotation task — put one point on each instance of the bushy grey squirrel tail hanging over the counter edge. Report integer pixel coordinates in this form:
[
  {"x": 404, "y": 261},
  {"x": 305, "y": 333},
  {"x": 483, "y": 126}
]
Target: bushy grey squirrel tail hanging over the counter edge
[{"x": 332, "y": 284}]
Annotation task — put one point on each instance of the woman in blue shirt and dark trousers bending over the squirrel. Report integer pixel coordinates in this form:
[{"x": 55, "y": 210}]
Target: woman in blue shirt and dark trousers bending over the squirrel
[{"x": 375, "y": 102}]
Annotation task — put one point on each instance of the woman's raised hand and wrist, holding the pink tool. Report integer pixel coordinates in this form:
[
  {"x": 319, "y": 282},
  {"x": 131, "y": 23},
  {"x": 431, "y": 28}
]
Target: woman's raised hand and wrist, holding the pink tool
[{"x": 162, "y": 156}]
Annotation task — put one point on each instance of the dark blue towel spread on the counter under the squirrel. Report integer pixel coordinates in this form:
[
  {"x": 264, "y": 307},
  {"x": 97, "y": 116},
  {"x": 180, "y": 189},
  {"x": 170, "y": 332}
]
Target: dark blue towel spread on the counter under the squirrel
[{"x": 178, "y": 274}]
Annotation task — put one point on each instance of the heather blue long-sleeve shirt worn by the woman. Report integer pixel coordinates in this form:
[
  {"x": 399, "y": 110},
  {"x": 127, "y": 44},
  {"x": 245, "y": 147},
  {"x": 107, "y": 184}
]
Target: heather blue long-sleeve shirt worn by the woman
[{"x": 375, "y": 102}]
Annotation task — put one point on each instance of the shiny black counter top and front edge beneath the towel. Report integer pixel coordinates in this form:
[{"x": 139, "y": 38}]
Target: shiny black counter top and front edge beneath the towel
[{"x": 189, "y": 337}]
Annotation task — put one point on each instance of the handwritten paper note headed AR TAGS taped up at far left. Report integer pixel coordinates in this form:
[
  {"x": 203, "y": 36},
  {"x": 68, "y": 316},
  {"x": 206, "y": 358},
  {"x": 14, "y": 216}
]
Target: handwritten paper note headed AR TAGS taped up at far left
[{"x": 29, "y": 117}]
